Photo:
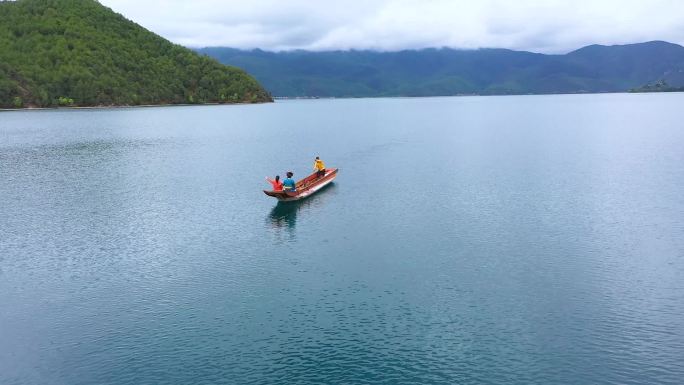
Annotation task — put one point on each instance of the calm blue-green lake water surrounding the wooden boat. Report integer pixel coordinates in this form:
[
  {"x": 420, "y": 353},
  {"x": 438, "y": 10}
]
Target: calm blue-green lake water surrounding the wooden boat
[{"x": 471, "y": 240}]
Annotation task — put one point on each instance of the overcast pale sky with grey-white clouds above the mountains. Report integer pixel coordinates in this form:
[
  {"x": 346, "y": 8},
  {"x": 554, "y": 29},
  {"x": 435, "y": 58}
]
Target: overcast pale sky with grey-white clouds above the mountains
[{"x": 548, "y": 26}]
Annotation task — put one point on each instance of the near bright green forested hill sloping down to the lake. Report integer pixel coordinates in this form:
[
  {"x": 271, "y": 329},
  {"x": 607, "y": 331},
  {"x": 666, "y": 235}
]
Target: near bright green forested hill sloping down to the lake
[{"x": 78, "y": 52}]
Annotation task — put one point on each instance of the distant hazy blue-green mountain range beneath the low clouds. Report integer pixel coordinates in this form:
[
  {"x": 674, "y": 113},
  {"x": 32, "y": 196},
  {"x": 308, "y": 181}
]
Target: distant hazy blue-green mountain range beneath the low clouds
[{"x": 433, "y": 72}]
